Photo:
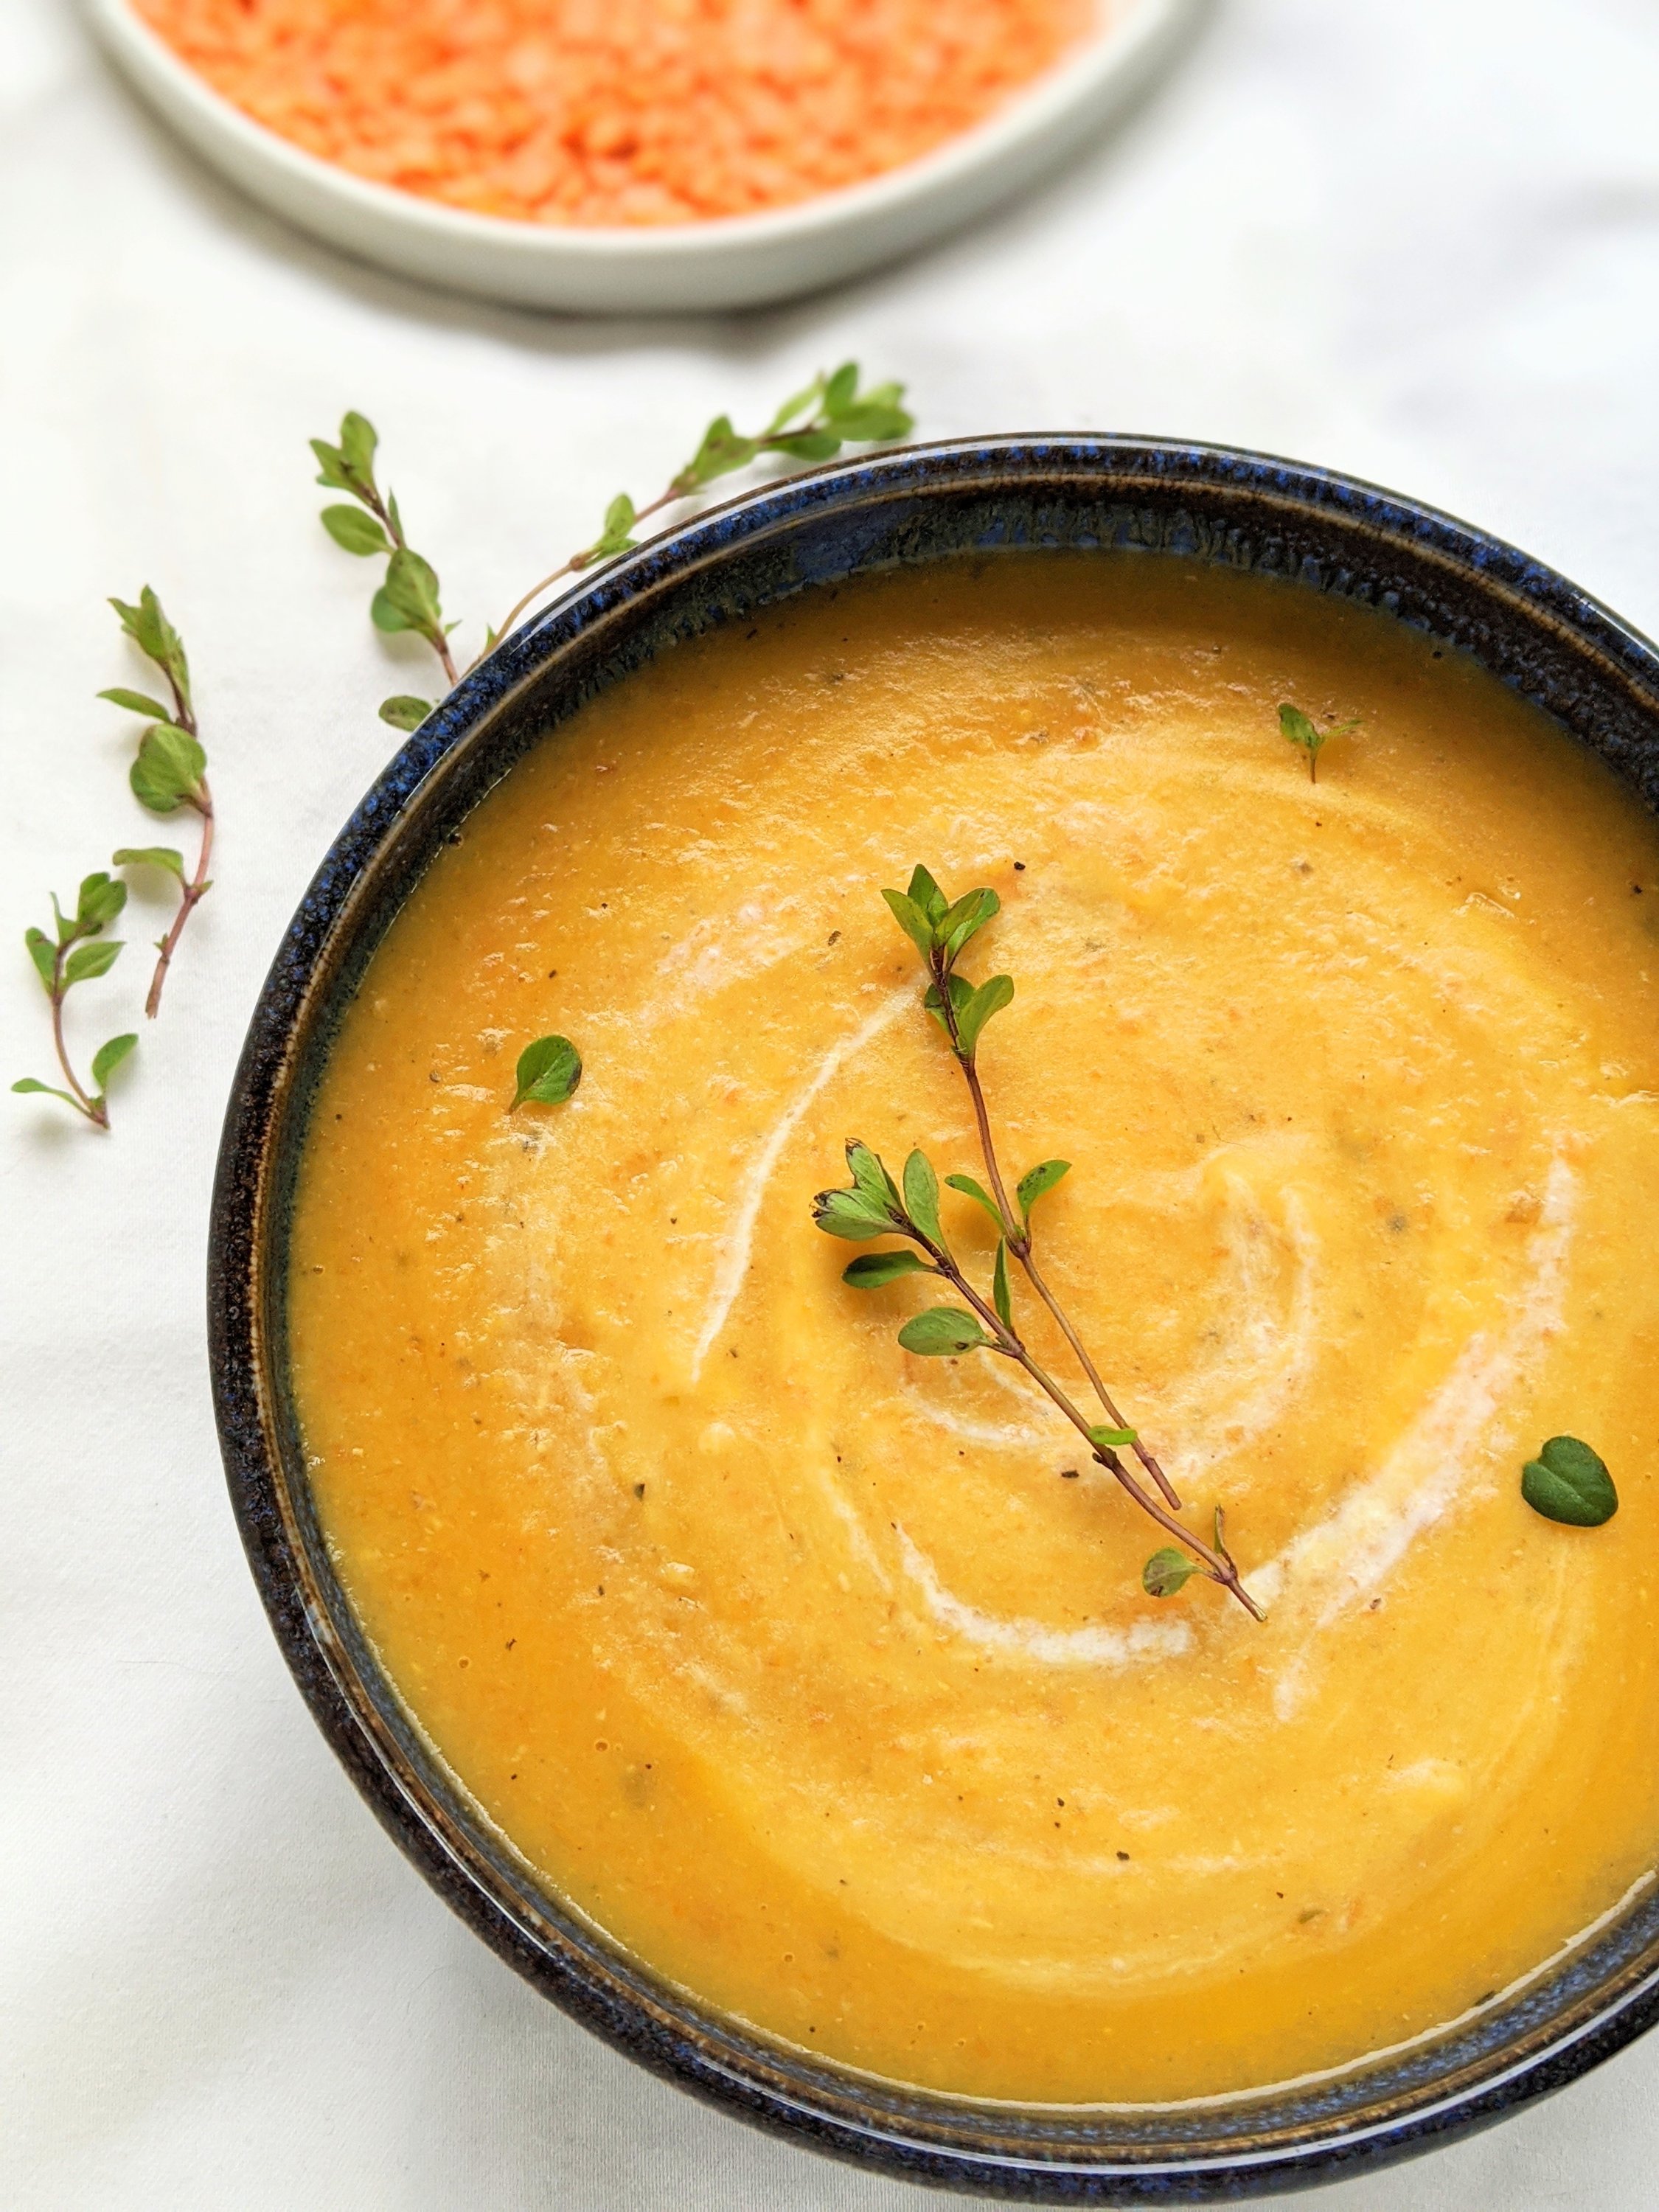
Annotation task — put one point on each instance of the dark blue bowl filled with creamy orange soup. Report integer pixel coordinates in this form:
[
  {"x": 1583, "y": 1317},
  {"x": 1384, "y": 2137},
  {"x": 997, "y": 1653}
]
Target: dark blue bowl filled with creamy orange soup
[{"x": 800, "y": 1704}]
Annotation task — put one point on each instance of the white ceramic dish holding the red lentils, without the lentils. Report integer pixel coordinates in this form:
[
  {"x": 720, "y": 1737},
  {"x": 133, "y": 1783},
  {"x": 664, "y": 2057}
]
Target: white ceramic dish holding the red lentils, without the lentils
[{"x": 729, "y": 262}]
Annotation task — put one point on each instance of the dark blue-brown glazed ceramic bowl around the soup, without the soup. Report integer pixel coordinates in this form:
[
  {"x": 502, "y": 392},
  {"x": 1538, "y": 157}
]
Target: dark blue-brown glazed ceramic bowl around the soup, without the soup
[{"x": 1167, "y": 503}]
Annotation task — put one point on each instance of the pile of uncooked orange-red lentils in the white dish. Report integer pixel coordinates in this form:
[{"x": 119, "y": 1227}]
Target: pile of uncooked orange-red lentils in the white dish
[{"x": 620, "y": 112}]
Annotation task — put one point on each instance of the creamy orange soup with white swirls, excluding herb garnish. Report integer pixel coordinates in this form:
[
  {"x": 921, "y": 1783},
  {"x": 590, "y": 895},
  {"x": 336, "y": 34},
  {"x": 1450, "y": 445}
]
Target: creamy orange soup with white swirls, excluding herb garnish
[{"x": 791, "y": 1658}]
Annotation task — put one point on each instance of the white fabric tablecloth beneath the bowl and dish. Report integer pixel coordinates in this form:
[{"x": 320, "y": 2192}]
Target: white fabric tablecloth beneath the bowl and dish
[{"x": 1410, "y": 238}]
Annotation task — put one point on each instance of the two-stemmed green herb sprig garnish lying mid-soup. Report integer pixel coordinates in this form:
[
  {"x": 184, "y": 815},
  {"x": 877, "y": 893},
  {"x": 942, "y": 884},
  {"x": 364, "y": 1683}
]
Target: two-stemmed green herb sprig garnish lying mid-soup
[{"x": 879, "y": 1207}]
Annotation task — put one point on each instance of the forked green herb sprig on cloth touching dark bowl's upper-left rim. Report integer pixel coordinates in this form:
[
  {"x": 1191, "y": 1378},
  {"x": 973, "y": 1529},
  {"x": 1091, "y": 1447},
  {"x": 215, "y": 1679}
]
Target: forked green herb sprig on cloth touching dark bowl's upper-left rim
[{"x": 811, "y": 426}]
